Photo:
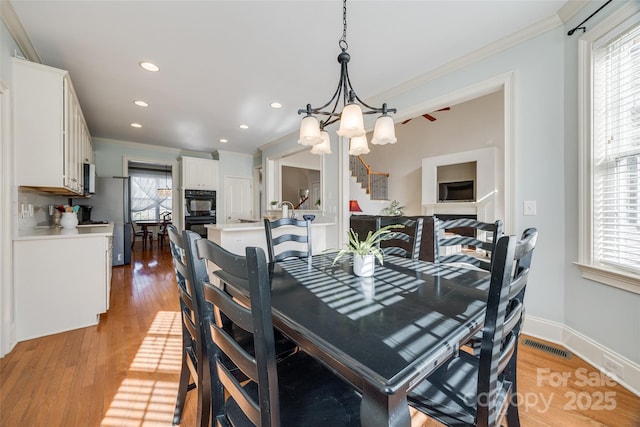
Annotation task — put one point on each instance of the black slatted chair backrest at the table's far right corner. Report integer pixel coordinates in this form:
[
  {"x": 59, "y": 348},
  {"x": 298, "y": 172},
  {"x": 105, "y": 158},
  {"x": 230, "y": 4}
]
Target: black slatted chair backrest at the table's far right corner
[{"x": 475, "y": 247}]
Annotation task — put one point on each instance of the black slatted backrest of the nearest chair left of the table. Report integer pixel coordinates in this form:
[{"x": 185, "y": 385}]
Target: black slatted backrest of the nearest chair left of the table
[{"x": 259, "y": 368}]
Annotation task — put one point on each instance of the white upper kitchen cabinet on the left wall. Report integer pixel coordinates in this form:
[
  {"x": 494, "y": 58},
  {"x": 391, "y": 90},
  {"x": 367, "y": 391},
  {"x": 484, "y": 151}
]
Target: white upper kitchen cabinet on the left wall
[{"x": 52, "y": 140}]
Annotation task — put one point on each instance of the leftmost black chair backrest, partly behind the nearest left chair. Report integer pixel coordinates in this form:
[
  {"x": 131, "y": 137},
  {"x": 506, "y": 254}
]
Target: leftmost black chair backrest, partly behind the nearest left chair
[{"x": 192, "y": 310}]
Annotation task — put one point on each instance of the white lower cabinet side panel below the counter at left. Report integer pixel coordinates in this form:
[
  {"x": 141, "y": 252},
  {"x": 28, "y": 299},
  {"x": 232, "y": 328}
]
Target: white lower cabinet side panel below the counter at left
[{"x": 60, "y": 284}]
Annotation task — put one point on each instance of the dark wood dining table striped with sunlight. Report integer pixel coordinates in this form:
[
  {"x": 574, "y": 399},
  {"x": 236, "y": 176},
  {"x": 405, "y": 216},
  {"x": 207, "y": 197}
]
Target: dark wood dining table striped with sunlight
[{"x": 384, "y": 333}]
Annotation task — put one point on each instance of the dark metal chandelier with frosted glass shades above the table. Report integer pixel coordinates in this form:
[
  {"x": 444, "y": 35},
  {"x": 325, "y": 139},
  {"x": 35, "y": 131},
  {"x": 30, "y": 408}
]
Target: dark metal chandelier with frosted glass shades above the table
[{"x": 351, "y": 119}]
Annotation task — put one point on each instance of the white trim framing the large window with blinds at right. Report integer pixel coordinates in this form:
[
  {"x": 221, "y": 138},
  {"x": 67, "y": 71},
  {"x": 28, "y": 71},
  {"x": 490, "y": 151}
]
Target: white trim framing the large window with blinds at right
[{"x": 624, "y": 17}]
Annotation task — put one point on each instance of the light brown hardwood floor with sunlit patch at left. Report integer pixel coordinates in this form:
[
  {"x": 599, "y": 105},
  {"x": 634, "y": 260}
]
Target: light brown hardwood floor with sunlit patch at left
[{"x": 124, "y": 371}]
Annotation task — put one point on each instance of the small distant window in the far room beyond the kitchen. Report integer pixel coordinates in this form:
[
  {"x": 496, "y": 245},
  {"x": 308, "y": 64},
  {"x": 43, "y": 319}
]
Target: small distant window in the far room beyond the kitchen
[{"x": 146, "y": 202}]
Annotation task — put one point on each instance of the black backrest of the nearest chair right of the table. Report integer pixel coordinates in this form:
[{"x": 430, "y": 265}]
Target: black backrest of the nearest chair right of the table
[{"x": 502, "y": 324}]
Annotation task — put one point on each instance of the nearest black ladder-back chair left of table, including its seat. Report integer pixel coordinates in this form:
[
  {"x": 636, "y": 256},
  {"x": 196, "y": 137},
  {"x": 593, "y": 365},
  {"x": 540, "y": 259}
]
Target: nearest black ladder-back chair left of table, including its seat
[{"x": 298, "y": 391}]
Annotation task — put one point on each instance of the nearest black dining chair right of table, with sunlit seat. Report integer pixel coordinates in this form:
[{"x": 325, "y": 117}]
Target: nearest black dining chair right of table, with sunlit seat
[{"x": 480, "y": 390}]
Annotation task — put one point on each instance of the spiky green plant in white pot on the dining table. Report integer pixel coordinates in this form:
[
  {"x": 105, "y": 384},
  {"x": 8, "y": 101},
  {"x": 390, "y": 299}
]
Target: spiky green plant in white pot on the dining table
[{"x": 366, "y": 251}]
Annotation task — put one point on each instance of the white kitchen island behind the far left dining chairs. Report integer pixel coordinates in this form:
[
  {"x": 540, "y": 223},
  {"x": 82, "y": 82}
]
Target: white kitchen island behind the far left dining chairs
[{"x": 236, "y": 236}]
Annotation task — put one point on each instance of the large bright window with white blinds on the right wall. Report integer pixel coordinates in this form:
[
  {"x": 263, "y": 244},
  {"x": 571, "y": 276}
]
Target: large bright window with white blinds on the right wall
[{"x": 610, "y": 60}]
